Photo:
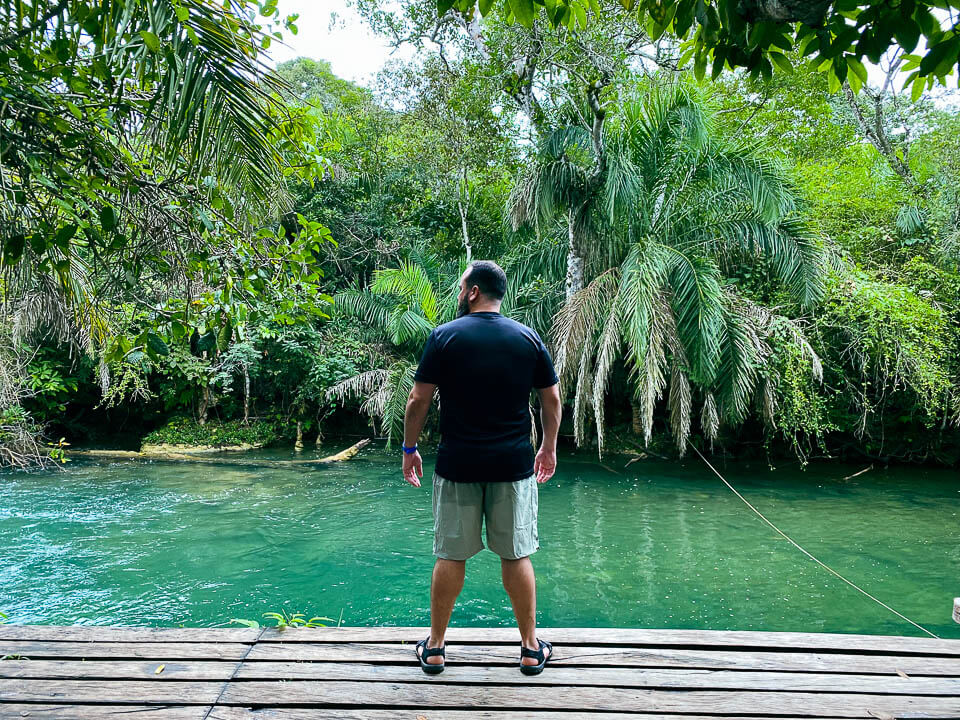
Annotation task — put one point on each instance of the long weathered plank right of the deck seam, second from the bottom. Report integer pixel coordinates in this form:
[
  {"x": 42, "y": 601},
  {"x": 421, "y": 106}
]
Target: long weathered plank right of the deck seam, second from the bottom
[{"x": 420, "y": 695}]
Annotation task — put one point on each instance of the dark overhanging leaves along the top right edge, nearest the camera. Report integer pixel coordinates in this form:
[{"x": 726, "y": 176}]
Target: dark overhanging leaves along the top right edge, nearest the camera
[{"x": 757, "y": 34}]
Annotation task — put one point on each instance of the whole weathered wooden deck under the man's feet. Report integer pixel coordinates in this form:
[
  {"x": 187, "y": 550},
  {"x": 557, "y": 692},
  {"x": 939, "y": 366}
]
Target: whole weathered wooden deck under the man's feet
[{"x": 371, "y": 673}]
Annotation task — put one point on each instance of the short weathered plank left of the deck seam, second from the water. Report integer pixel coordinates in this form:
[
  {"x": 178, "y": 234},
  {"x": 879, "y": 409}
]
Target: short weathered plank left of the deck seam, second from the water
[{"x": 160, "y": 651}]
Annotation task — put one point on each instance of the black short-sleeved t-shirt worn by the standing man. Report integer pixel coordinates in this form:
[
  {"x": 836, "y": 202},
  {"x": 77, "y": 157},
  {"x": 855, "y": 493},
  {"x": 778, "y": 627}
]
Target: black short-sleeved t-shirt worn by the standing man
[{"x": 485, "y": 366}]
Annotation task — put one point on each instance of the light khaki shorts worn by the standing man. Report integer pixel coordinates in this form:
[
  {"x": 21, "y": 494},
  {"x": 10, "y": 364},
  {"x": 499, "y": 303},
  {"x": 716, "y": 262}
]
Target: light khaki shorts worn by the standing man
[{"x": 510, "y": 509}]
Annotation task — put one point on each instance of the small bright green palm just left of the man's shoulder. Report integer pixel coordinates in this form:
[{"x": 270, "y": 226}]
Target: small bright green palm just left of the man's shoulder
[{"x": 402, "y": 305}]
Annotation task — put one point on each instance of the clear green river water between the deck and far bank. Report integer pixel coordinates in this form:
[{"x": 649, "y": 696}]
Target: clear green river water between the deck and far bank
[{"x": 650, "y": 545}]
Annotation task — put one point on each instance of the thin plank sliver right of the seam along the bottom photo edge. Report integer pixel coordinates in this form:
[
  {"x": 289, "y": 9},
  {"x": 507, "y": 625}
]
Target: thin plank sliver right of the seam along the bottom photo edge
[{"x": 238, "y": 713}]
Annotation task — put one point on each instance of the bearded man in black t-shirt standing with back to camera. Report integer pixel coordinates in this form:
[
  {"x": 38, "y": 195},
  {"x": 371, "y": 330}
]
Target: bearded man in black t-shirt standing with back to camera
[{"x": 485, "y": 366}]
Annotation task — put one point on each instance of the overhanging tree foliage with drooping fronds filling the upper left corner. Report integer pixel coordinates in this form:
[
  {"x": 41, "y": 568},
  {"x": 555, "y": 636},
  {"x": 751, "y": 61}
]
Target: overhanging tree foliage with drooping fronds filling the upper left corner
[{"x": 142, "y": 148}]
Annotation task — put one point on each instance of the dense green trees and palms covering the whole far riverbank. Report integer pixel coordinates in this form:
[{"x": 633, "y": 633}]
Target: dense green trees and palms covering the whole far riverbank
[{"x": 200, "y": 247}]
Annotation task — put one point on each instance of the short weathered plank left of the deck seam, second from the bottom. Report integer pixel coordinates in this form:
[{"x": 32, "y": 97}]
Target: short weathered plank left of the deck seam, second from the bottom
[{"x": 135, "y": 692}]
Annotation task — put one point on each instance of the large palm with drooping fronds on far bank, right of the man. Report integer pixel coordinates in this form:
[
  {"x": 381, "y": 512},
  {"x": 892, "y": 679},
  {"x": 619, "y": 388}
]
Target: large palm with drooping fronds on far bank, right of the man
[{"x": 677, "y": 208}]
